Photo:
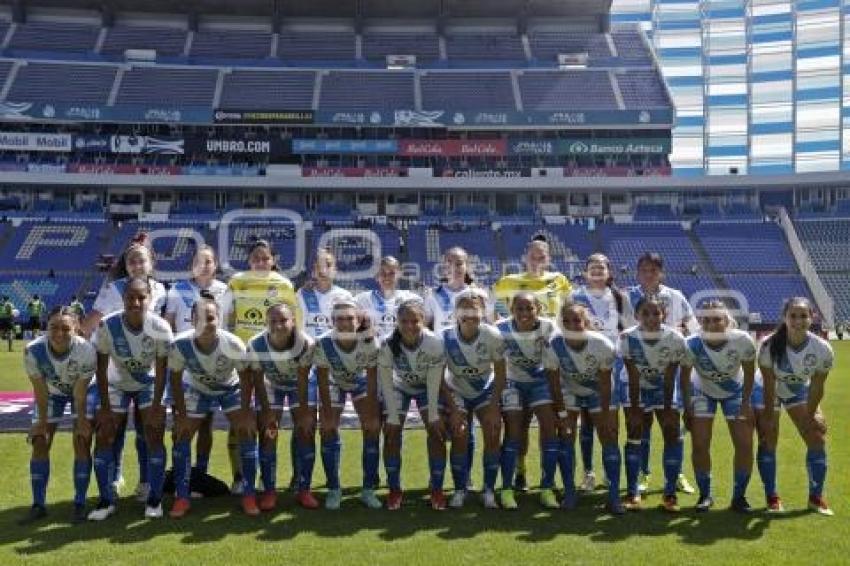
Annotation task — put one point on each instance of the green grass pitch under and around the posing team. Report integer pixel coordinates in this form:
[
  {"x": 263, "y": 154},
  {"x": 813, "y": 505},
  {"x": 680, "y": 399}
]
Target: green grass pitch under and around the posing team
[{"x": 217, "y": 533}]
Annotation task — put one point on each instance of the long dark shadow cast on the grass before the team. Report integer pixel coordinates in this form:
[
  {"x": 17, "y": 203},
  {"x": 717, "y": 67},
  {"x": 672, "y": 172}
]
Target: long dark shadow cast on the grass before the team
[{"x": 212, "y": 520}]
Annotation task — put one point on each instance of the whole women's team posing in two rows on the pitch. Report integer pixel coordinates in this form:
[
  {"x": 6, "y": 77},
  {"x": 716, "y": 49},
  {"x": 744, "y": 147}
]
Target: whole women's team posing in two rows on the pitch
[{"x": 466, "y": 356}]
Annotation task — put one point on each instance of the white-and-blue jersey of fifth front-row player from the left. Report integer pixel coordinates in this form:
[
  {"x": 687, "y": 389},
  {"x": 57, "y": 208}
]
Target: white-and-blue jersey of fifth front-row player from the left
[{"x": 345, "y": 367}]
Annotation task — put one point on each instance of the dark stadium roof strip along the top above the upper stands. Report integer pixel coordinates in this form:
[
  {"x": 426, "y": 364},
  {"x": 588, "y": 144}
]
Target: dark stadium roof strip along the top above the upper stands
[{"x": 341, "y": 8}]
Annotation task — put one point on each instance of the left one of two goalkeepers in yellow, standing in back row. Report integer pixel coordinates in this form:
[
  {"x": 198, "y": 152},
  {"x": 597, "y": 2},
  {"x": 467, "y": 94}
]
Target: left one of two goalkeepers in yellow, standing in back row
[{"x": 250, "y": 293}]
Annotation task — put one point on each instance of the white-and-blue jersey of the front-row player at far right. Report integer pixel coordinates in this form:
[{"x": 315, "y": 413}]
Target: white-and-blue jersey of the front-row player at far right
[{"x": 795, "y": 370}]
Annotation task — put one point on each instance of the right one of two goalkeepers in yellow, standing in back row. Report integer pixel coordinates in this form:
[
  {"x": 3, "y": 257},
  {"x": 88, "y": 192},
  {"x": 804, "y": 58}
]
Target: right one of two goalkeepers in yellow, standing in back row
[{"x": 549, "y": 288}]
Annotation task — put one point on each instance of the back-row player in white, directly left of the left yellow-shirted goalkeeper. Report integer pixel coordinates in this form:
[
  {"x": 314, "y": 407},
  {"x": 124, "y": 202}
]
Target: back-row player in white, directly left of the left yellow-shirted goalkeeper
[{"x": 178, "y": 312}]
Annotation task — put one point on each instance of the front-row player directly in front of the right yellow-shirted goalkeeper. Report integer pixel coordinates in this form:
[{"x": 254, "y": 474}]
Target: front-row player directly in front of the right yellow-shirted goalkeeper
[{"x": 526, "y": 338}]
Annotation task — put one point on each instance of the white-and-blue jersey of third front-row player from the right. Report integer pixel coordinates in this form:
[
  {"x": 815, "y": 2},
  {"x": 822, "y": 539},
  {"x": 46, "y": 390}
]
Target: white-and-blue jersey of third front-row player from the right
[{"x": 652, "y": 357}]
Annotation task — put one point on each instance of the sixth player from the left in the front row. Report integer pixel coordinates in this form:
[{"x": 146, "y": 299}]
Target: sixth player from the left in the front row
[{"x": 410, "y": 367}]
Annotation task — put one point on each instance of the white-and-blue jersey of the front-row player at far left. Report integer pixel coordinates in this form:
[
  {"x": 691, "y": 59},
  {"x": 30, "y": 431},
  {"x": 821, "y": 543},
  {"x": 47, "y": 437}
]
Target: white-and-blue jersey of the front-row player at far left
[{"x": 61, "y": 373}]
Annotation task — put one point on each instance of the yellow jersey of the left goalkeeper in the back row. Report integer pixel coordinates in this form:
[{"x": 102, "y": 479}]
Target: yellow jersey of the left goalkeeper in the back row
[{"x": 252, "y": 293}]
